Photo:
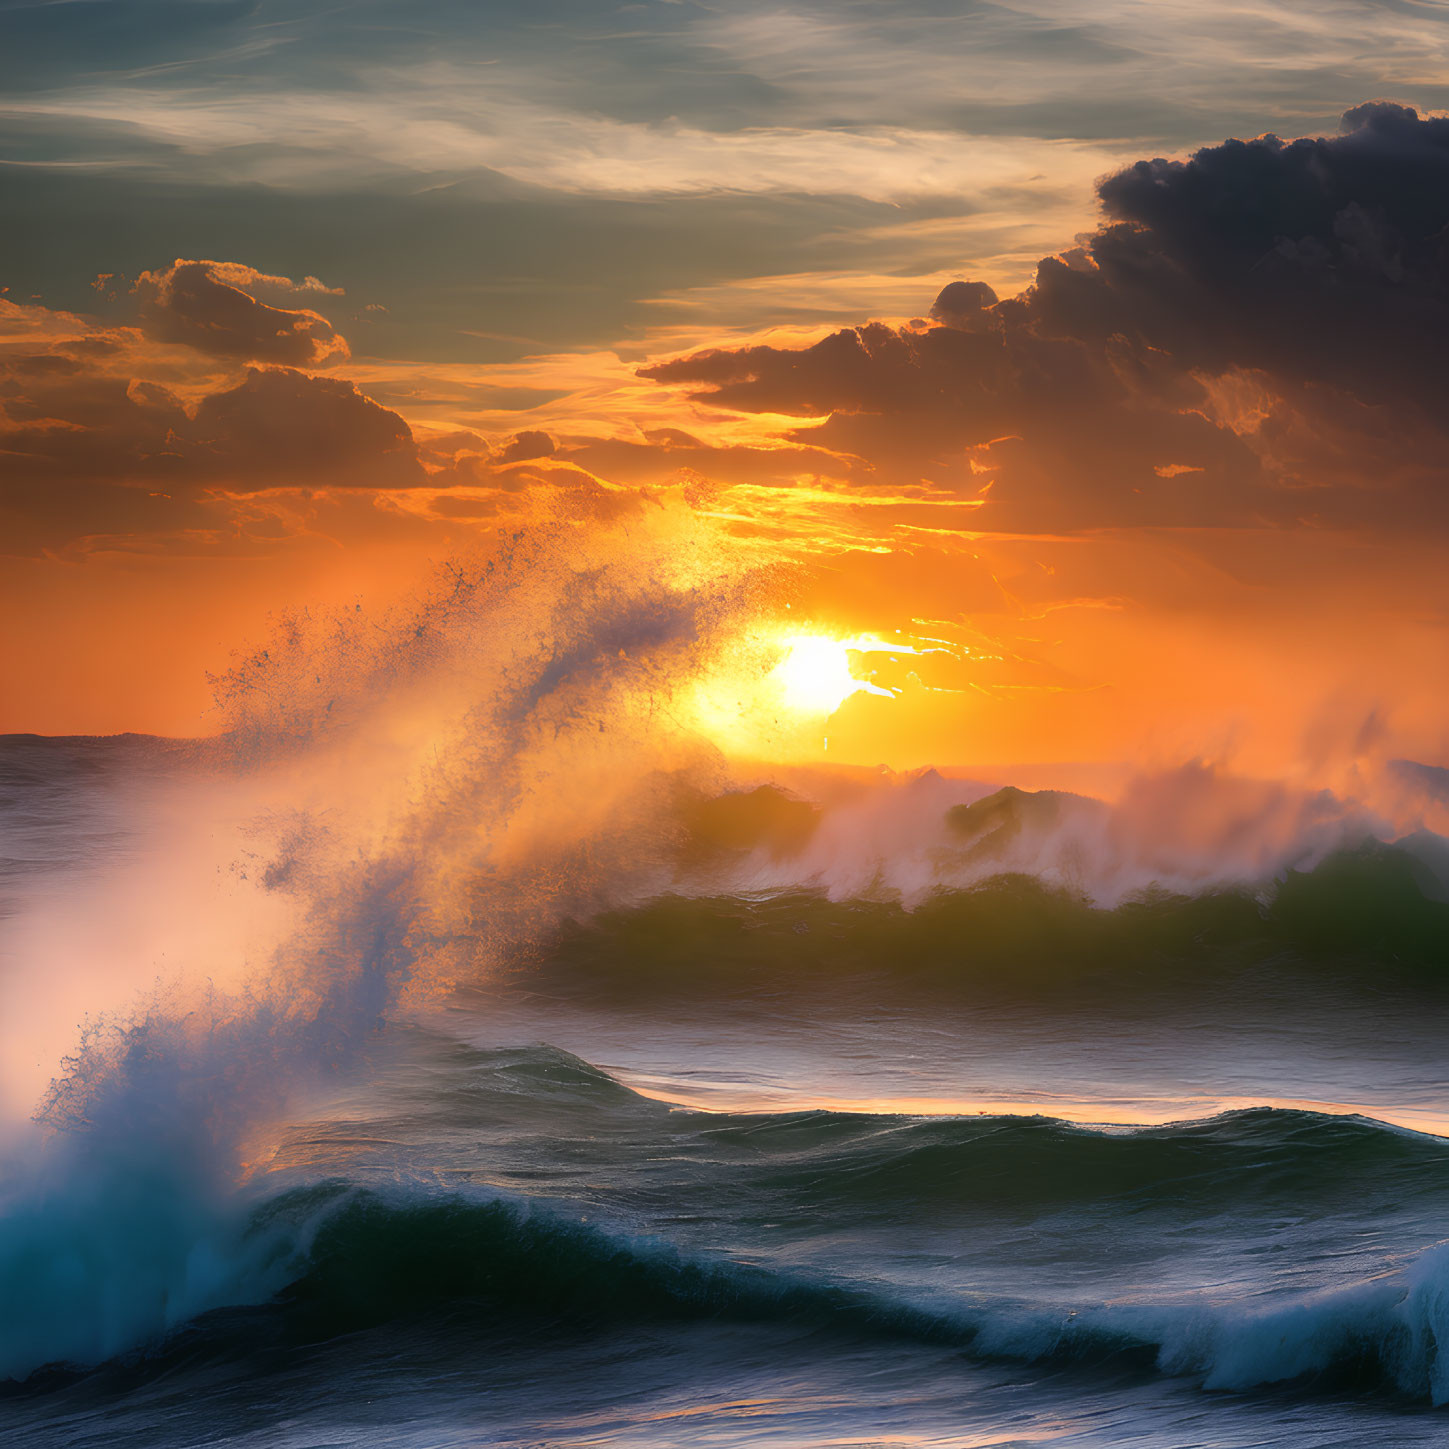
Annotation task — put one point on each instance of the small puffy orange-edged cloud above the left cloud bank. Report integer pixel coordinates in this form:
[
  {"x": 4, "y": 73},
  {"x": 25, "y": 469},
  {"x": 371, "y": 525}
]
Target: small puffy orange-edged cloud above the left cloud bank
[{"x": 206, "y": 305}]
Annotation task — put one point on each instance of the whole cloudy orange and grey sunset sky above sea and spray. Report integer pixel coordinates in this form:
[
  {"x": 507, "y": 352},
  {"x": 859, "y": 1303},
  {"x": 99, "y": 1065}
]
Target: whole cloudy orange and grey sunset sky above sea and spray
[{"x": 1132, "y": 433}]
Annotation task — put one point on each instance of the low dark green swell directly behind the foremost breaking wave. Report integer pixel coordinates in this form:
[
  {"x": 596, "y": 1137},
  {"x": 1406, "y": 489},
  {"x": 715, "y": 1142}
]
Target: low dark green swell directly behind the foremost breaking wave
[{"x": 543, "y": 1108}]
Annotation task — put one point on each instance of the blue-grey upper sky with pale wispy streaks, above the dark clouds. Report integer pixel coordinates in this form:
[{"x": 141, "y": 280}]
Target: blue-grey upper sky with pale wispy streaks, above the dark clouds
[{"x": 508, "y": 179}]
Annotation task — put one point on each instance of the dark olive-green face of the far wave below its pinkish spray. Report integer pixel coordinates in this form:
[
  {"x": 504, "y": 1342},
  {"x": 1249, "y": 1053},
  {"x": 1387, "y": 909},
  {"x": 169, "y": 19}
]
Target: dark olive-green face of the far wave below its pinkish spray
[{"x": 1361, "y": 912}]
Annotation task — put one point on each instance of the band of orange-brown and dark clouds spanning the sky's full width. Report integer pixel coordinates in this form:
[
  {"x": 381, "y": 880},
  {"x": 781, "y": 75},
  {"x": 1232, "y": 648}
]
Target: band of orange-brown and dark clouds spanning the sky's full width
[{"x": 1253, "y": 338}]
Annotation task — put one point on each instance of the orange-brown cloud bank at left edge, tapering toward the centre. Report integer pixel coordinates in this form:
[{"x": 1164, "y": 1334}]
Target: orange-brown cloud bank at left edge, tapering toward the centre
[{"x": 117, "y": 437}]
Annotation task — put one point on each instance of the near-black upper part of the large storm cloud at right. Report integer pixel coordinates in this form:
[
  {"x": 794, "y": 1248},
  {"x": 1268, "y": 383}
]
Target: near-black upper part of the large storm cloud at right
[{"x": 1322, "y": 260}]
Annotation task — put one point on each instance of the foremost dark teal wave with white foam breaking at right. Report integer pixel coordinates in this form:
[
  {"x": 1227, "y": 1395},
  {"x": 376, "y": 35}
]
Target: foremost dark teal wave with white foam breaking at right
[{"x": 370, "y": 1260}]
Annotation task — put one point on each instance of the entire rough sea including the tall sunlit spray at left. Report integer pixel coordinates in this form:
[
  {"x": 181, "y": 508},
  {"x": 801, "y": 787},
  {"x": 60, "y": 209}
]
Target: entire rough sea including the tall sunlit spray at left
[{"x": 473, "y": 986}]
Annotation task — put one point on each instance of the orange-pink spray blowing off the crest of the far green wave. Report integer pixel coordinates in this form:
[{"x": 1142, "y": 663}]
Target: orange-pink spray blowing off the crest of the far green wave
[{"x": 1193, "y": 831}]
